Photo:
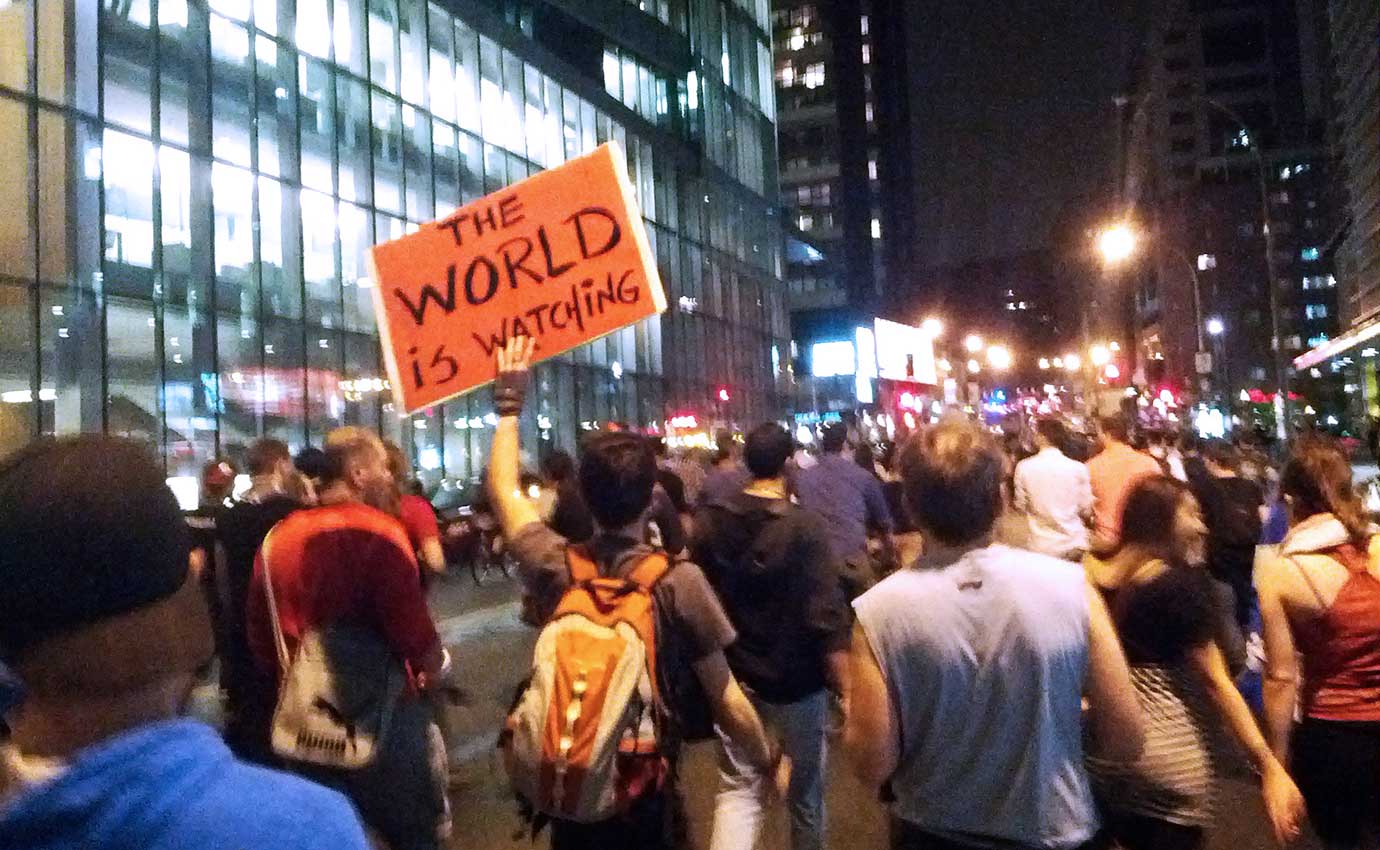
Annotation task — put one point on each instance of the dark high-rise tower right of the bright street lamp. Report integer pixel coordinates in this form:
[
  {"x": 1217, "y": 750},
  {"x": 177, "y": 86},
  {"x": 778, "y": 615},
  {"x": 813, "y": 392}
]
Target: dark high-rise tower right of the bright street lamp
[{"x": 1228, "y": 137}]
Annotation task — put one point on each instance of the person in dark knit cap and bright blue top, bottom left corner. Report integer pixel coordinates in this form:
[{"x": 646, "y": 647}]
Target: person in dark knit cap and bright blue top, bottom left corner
[{"x": 104, "y": 626}]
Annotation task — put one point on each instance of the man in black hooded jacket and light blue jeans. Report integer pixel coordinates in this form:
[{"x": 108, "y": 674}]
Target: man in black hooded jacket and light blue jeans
[{"x": 772, "y": 565}]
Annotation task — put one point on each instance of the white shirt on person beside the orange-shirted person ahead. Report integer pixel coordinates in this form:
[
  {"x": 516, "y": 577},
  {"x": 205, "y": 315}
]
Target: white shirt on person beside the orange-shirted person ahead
[{"x": 1055, "y": 495}]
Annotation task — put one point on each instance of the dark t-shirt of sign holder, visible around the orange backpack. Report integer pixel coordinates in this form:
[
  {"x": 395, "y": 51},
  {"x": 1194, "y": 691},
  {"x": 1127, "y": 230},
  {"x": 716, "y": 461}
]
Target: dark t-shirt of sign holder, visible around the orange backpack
[{"x": 691, "y": 622}]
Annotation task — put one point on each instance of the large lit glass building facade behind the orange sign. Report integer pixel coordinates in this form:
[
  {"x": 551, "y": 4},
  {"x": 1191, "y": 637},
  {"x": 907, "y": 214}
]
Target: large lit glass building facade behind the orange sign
[{"x": 190, "y": 190}]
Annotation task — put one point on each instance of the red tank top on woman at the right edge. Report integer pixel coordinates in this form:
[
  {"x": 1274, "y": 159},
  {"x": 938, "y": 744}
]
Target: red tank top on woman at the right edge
[{"x": 1342, "y": 646}]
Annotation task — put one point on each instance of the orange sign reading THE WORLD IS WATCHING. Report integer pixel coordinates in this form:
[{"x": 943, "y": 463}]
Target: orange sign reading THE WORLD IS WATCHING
[{"x": 561, "y": 257}]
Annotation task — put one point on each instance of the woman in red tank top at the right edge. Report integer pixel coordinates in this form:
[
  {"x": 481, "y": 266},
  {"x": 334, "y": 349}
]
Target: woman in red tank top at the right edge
[{"x": 1320, "y": 598}]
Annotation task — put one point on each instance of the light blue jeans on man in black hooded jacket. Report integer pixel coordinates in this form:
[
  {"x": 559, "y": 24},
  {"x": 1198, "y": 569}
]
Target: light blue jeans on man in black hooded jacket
[{"x": 740, "y": 807}]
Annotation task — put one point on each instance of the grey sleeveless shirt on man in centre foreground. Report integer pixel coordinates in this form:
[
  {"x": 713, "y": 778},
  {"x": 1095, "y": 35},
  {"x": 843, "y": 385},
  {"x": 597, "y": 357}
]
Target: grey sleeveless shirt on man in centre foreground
[{"x": 986, "y": 663}]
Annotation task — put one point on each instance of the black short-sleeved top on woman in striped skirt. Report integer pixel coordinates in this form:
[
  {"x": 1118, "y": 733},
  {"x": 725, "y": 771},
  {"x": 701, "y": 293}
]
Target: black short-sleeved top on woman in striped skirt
[{"x": 1161, "y": 620}]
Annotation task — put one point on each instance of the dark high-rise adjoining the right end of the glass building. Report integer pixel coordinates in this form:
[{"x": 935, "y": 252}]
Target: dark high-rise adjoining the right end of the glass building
[{"x": 844, "y": 123}]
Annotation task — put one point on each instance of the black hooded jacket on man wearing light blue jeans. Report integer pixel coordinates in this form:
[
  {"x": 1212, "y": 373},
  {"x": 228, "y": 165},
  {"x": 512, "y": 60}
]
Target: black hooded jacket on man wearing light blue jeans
[{"x": 779, "y": 580}]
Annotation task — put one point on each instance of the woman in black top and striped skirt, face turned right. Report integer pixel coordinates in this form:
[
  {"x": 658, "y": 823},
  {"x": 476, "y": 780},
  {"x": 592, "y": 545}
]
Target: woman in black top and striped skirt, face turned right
[{"x": 1171, "y": 623}]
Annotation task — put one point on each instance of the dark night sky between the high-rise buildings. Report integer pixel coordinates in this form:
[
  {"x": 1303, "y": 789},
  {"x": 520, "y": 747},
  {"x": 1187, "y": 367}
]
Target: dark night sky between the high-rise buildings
[{"x": 1012, "y": 103}]
